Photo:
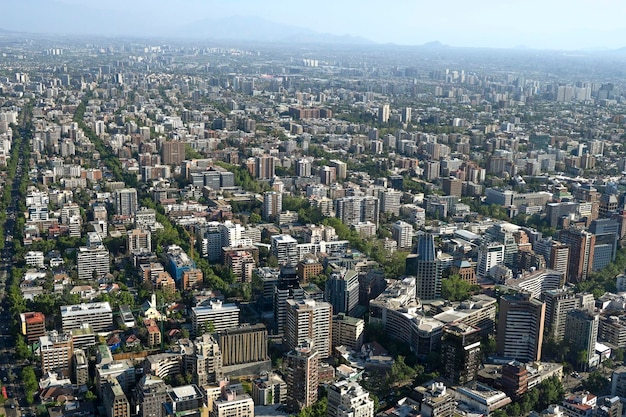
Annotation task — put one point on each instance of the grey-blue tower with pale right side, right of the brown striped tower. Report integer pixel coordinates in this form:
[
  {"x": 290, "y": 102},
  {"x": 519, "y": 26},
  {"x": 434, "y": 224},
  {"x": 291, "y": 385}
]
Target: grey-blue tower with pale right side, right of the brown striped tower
[{"x": 581, "y": 333}]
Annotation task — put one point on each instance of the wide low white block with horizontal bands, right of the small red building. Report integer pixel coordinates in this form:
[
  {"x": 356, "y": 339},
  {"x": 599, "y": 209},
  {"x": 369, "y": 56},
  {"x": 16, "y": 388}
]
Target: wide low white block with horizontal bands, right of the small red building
[{"x": 98, "y": 315}]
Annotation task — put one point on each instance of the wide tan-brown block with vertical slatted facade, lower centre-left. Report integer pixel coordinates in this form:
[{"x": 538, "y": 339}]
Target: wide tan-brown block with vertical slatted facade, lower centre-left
[{"x": 244, "y": 344}]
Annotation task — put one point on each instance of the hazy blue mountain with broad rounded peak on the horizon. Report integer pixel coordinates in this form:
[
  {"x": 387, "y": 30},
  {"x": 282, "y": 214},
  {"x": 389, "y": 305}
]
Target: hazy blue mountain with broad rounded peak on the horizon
[{"x": 246, "y": 28}]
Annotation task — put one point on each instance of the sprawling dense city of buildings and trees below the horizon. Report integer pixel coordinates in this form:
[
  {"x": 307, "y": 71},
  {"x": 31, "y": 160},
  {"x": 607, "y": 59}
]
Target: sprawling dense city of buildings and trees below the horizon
[{"x": 193, "y": 229}]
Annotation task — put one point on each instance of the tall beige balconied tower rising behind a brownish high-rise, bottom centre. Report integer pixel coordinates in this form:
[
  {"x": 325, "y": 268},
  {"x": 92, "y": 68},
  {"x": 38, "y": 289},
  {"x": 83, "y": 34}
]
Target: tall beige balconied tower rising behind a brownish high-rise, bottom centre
[{"x": 309, "y": 320}]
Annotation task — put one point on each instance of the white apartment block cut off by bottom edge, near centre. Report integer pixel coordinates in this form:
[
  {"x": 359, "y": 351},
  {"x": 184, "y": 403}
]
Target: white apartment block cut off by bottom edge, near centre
[{"x": 348, "y": 398}]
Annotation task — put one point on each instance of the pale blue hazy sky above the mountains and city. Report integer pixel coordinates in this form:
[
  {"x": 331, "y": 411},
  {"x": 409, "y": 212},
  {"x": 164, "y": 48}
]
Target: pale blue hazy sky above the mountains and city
[{"x": 561, "y": 24}]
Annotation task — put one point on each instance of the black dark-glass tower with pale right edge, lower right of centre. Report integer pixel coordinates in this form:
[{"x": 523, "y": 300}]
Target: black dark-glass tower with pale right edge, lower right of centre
[{"x": 460, "y": 352}]
